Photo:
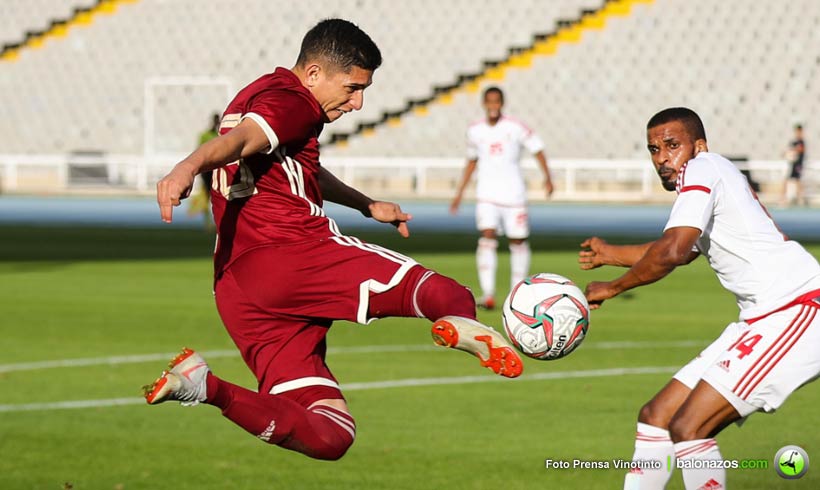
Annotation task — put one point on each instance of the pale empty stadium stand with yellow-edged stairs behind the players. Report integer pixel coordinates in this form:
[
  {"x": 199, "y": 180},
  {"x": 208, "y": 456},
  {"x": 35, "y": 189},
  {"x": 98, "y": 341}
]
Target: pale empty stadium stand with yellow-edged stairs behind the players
[{"x": 89, "y": 76}]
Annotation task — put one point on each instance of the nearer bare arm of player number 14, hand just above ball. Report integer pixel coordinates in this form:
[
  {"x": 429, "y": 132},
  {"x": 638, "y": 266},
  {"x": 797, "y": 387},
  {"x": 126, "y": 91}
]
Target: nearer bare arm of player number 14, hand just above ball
[{"x": 674, "y": 248}]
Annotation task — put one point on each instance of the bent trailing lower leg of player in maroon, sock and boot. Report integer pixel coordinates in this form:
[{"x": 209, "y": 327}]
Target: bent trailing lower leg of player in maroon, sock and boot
[{"x": 318, "y": 431}]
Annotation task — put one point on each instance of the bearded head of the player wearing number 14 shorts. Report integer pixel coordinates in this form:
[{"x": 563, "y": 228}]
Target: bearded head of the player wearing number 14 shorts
[{"x": 673, "y": 137}]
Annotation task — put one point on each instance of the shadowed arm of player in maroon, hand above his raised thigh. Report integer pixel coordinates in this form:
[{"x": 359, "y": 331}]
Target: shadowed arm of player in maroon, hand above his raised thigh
[{"x": 334, "y": 190}]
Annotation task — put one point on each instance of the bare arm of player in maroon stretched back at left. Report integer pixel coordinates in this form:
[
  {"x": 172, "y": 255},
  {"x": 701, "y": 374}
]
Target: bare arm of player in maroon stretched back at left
[{"x": 244, "y": 140}]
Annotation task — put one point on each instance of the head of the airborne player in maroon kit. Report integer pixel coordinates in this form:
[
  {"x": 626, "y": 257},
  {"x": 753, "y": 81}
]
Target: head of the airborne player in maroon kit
[{"x": 336, "y": 63}]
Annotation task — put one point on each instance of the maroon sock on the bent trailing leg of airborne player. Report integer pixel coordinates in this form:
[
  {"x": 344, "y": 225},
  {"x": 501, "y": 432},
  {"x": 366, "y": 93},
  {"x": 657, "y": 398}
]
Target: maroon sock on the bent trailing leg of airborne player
[{"x": 321, "y": 432}]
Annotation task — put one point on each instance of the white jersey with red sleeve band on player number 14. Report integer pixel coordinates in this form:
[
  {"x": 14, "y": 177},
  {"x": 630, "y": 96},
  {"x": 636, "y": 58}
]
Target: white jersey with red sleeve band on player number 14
[{"x": 745, "y": 248}]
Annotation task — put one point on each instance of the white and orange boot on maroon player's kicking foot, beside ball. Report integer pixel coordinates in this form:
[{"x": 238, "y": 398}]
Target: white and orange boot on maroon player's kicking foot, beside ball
[{"x": 491, "y": 348}]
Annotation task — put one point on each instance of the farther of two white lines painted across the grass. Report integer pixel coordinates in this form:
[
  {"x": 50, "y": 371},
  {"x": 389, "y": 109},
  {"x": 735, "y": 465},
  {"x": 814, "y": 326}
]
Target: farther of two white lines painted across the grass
[{"x": 363, "y": 349}]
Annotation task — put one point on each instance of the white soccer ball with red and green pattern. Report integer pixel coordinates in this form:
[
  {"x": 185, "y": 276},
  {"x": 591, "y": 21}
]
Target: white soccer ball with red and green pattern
[{"x": 546, "y": 316}]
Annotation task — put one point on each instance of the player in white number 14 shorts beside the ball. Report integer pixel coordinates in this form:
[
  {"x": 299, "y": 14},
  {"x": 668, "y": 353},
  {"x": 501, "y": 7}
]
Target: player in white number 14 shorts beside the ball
[{"x": 758, "y": 361}]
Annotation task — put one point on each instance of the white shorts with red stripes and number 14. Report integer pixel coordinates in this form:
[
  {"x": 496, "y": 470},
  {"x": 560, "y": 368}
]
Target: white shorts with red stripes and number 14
[{"x": 756, "y": 367}]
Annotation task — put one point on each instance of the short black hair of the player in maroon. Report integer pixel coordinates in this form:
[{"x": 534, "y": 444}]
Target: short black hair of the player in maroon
[{"x": 341, "y": 43}]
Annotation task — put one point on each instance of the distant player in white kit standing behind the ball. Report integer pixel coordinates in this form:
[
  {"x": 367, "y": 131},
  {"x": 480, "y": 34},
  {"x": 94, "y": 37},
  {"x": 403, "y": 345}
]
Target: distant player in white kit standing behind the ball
[{"x": 494, "y": 149}]
